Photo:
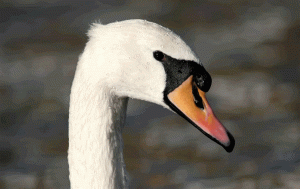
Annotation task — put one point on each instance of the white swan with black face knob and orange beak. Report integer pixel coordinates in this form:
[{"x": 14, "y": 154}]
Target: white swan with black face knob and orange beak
[{"x": 137, "y": 59}]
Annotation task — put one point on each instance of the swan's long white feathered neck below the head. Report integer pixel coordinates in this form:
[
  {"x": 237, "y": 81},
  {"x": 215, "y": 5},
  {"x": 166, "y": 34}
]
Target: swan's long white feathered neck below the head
[{"x": 95, "y": 137}]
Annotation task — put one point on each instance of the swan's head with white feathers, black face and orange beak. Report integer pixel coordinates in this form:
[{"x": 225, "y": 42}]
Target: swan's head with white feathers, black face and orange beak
[{"x": 143, "y": 60}]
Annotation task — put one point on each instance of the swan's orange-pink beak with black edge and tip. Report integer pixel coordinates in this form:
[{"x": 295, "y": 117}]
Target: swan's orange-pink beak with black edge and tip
[{"x": 190, "y": 102}]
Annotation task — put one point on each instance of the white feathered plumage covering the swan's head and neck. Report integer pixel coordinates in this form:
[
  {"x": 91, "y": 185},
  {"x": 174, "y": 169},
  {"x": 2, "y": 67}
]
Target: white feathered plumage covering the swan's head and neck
[{"x": 117, "y": 63}]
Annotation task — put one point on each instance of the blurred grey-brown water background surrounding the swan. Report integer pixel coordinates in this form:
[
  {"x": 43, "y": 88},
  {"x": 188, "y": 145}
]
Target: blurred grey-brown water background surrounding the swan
[{"x": 250, "y": 47}]
